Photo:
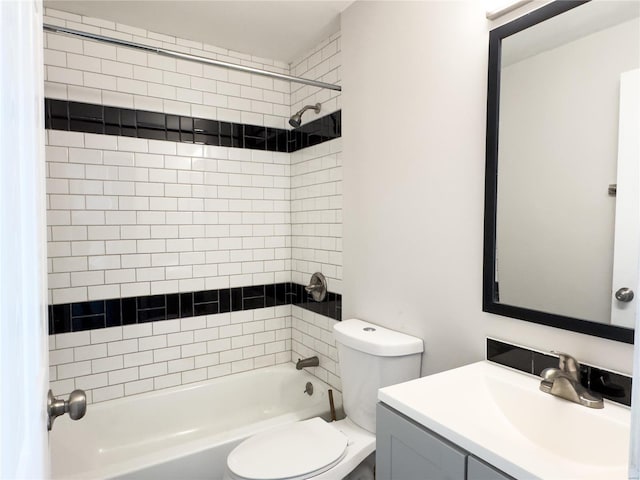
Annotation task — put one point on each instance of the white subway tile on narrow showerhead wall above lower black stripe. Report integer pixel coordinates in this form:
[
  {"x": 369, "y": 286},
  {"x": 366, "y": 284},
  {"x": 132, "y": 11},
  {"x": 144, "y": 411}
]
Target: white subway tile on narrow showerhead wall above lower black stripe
[{"x": 316, "y": 174}]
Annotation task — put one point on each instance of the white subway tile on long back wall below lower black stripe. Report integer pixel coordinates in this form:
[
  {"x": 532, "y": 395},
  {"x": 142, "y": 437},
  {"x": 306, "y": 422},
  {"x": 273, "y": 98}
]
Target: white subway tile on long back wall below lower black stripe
[{"x": 113, "y": 362}]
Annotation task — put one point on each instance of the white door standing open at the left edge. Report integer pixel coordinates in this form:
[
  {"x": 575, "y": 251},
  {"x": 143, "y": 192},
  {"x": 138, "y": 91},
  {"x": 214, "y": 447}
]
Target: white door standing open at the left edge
[{"x": 24, "y": 358}]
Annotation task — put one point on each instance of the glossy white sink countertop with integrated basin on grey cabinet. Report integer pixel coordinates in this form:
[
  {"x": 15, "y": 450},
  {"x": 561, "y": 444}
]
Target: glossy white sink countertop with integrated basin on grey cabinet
[{"x": 501, "y": 416}]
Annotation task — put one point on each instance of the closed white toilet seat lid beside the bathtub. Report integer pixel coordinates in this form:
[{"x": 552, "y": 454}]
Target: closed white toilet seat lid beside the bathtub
[{"x": 294, "y": 452}]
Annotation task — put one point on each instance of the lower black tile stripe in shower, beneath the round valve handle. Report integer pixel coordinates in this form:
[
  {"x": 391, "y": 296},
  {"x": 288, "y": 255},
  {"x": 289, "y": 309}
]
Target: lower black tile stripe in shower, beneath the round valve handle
[{"x": 76, "y": 317}]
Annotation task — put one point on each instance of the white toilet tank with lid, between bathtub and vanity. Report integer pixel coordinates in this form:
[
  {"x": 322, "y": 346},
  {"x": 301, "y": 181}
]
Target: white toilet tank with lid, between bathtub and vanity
[{"x": 372, "y": 357}]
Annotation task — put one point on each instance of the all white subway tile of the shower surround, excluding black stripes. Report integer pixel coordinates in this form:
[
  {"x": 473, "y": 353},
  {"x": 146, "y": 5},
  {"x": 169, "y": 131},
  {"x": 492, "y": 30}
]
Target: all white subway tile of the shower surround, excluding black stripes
[{"x": 130, "y": 217}]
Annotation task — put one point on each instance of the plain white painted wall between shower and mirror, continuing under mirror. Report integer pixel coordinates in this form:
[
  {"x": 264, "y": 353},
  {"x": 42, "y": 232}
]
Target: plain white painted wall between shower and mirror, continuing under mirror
[{"x": 414, "y": 77}]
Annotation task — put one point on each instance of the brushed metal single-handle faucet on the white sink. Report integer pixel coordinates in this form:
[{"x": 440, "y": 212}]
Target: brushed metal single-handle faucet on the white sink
[{"x": 564, "y": 382}]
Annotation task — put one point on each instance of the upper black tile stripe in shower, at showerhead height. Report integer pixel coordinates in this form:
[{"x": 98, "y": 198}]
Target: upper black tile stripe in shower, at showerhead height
[{"x": 92, "y": 118}]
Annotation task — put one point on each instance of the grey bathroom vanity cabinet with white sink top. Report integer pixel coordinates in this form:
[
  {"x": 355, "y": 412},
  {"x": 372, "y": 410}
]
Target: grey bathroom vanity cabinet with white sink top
[{"x": 487, "y": 422}]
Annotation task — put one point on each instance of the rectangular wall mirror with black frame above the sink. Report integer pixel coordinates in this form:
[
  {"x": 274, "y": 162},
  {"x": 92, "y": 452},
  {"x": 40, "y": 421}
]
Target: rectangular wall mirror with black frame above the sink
[{"x": 562, "y": 229}]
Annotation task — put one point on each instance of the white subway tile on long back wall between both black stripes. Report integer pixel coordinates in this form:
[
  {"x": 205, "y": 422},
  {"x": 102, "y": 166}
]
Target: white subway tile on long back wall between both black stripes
[{"x": 127, "y": 222}]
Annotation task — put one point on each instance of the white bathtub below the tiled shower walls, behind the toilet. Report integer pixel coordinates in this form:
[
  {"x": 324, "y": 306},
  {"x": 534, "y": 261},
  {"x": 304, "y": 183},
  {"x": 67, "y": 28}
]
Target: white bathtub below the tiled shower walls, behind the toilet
[{"x": 183, "y": 432}]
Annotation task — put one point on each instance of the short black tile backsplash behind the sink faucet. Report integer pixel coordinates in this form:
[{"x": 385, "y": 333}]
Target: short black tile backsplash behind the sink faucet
[{"x": 612, "y": 386}]
